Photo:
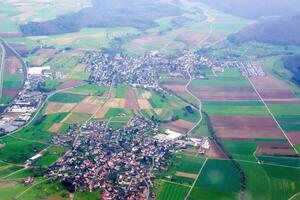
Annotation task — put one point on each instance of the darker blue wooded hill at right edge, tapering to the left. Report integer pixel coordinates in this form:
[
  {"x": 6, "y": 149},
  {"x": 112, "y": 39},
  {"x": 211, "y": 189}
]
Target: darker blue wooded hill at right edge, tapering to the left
[{"x": 280, "y": 31}]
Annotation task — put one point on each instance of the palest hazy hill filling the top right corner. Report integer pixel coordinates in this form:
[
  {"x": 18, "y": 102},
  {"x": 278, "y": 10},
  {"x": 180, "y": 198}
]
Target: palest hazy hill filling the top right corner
[{"x": 255, "y": 9}]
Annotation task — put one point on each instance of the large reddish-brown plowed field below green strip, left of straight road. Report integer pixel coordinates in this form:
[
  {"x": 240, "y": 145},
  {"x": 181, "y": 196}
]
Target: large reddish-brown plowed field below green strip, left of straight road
[{"x": 245, "y": 127}]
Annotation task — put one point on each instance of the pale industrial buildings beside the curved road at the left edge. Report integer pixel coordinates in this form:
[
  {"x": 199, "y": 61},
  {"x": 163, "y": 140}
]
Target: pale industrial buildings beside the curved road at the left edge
[{"x": 19, "y": 111}]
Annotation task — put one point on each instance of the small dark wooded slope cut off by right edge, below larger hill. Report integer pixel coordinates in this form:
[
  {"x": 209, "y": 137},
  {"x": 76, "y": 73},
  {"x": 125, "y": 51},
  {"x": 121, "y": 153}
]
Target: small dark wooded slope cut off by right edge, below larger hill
[{"x": 292, "y": 63}]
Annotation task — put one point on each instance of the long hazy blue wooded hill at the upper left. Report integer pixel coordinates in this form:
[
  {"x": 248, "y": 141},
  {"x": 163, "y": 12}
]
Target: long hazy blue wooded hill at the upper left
[{"x": 140, "y": 14}]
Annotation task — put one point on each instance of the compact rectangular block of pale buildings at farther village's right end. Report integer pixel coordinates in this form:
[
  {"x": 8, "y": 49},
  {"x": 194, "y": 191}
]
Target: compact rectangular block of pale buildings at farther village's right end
[{"x": 250, "y": 69}]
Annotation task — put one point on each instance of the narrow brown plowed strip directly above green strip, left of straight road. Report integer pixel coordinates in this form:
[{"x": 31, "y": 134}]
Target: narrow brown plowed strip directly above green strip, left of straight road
[{"x": 226, "y": 96}]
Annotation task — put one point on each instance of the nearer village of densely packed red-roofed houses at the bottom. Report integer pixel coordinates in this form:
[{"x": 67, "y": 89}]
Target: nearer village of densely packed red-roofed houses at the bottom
[{"x": 118, "y": 162}]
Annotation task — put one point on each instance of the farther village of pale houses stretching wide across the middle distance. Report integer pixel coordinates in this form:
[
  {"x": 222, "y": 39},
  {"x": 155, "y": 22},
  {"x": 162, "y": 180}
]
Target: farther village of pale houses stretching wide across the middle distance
[{"x": 144, "y": 71}]
